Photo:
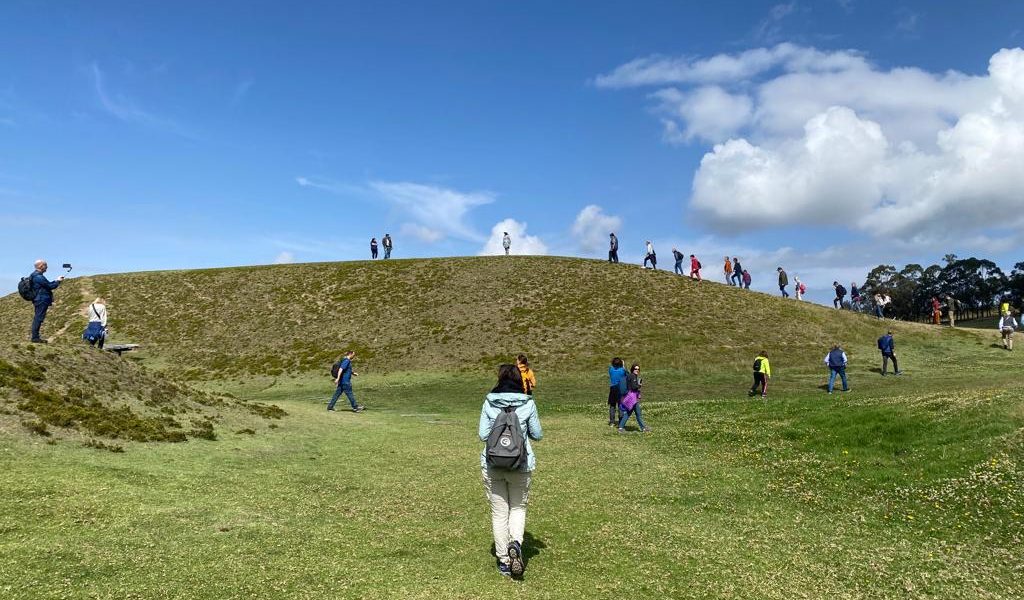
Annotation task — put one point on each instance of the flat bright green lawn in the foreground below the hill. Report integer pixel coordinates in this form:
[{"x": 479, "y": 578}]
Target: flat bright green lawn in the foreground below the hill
[{"x": 907, "y": 488}]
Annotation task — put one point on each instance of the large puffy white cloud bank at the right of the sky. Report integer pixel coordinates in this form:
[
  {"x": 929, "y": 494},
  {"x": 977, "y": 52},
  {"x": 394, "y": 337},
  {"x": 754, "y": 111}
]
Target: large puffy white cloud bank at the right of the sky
[{"x": 832, "y": 140}]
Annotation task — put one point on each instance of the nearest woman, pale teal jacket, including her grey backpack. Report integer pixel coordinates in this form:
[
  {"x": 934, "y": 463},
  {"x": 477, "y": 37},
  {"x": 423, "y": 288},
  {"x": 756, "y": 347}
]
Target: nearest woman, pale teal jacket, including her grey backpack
[{"x": 508, "y": 422}]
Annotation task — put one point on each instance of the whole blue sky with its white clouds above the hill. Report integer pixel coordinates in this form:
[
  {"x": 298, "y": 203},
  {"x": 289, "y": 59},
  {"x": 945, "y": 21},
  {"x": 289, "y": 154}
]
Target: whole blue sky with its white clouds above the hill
[{"x": 825, "y": 137}]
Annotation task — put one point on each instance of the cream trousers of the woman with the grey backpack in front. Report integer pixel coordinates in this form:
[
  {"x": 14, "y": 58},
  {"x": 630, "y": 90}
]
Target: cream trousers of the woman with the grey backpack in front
[{"x": 508, "y": 493}]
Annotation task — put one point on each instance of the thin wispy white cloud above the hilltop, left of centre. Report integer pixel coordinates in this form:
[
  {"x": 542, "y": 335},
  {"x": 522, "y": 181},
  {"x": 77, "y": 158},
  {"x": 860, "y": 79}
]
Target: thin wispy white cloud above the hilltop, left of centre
[{"x": 433, "y": 213}]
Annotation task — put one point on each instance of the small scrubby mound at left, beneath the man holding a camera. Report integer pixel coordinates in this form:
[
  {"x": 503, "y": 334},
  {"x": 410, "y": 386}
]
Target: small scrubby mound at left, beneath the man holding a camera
[{"x": 77, "y": 393}]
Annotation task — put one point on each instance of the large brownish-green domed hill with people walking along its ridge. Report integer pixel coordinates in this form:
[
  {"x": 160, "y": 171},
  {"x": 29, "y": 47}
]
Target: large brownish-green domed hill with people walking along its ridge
[{"x": 447, "y": 314}]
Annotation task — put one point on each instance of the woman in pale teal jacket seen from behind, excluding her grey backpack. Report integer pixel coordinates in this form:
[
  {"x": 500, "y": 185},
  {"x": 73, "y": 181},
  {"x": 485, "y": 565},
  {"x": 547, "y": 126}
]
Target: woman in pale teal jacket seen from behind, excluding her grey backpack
[{"x": 508, "y": 492}]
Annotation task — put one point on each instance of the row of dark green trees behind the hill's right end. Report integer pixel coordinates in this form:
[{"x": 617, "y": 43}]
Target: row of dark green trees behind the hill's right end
[{"x": 977, "y": 284}]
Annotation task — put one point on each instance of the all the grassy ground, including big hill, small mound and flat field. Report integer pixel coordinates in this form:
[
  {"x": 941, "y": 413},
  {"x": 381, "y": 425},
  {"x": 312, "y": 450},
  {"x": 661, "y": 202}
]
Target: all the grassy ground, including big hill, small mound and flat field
[{"x": 907, "y": 488}]
